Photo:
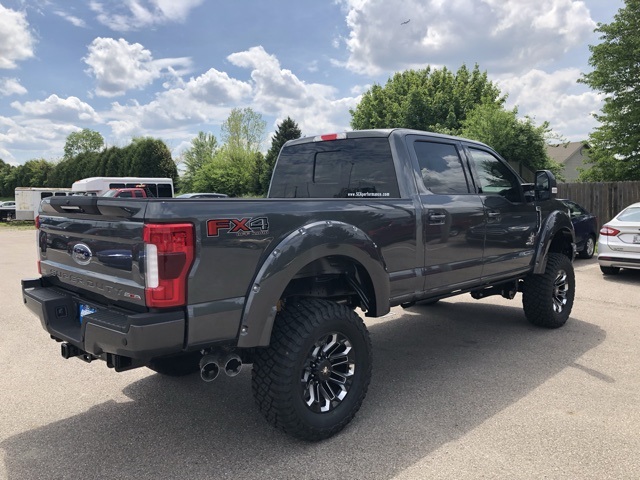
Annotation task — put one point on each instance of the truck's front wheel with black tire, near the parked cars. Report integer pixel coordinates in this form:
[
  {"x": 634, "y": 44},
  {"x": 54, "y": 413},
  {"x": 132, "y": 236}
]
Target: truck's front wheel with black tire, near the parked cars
[{"x": 548, "y": 298}]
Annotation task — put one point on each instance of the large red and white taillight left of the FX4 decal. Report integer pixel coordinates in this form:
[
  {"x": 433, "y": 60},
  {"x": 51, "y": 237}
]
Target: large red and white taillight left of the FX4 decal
[{"x": 169, "y": 252}]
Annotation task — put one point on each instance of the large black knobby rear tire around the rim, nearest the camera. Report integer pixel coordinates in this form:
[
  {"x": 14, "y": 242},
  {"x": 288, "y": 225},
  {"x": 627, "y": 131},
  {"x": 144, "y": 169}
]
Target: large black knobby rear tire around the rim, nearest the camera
[{"x": 275, "y": 366}]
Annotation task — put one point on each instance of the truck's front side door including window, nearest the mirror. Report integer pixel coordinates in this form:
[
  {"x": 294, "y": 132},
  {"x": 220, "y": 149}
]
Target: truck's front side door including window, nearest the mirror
[{"x": 511, "y": 223}]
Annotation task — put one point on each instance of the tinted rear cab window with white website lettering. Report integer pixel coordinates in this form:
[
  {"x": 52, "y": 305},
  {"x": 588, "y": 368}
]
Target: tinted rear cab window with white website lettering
[{"x": 349, "y": 168}]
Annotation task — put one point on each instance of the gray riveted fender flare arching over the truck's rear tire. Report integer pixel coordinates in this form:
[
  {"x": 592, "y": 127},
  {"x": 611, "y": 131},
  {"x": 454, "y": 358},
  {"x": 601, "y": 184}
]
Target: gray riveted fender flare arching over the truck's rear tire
[{"x": 301, "y": 247}]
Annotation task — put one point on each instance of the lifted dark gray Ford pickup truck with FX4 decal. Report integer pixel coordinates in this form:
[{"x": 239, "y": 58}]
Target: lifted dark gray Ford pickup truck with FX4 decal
[{"x": 360, "y": 220}]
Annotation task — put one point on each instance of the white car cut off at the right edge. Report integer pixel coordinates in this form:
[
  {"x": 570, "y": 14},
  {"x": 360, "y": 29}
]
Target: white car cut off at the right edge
[{"x": 619, "y": 241}]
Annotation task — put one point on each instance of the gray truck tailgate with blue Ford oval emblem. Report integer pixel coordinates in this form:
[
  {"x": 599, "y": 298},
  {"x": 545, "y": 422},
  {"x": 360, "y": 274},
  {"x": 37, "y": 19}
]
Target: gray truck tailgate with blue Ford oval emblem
[{"x": 94, "y": 246}]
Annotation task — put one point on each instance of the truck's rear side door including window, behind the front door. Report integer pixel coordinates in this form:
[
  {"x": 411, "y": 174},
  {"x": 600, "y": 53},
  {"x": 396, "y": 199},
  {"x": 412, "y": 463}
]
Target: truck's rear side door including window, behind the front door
[{"x": 450, "y": 209}]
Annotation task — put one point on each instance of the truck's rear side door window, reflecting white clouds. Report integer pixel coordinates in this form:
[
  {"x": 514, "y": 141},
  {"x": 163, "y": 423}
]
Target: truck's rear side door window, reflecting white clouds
[{"x": 441, "y": 168}]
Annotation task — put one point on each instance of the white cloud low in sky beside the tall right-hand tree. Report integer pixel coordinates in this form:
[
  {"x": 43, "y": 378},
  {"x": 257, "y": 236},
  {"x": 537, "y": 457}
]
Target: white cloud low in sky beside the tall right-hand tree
[{"x": 554, "y": 97}]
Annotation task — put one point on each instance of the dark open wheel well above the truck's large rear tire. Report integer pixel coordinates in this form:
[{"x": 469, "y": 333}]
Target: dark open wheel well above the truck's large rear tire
[{"x": 335, "y": 278}]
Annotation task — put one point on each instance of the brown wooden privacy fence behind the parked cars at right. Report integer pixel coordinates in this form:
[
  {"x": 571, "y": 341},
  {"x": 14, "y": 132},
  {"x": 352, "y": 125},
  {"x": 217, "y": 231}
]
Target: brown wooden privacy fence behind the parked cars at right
[{"x": 603, "y": 199}]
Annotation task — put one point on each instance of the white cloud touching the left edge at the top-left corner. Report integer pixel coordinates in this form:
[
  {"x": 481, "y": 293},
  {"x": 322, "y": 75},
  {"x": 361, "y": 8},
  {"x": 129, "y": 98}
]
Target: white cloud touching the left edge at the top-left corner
[{"x": 16, "y": 41}]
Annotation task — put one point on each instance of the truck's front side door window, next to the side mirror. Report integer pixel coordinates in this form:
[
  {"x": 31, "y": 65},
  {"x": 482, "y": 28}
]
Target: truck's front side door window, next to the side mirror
[{"x": 495, "y": 175}]
